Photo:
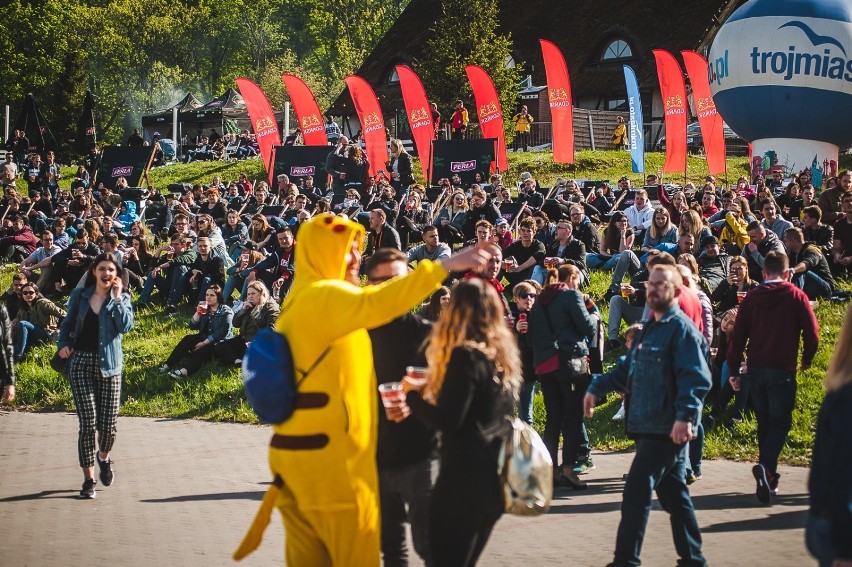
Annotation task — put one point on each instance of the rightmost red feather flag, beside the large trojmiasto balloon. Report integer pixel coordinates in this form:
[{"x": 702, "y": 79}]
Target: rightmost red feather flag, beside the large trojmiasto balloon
[{"x": 712, "y": 125}]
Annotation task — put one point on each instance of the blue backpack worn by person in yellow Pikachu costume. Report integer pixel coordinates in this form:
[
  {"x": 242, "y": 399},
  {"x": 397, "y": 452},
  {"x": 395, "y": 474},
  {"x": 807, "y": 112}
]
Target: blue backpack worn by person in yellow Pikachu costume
[{"x": 270, "y": 376}]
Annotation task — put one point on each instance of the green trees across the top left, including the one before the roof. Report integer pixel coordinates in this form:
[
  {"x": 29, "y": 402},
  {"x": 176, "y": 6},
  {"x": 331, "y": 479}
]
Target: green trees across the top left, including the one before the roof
[{"x": 139, "y": 56}]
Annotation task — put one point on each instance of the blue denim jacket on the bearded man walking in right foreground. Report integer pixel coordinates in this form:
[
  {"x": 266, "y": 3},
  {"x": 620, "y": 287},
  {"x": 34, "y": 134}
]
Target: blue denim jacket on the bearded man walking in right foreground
[{"x": 665, "y": 374}]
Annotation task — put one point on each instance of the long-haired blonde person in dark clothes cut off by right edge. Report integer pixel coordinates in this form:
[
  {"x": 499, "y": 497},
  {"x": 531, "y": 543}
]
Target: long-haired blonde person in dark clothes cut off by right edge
[{"x": 830, "y": 484}]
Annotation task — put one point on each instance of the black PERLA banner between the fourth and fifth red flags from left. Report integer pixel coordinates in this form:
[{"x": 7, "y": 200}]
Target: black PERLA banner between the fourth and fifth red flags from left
[{"x": 463, "y": 158}]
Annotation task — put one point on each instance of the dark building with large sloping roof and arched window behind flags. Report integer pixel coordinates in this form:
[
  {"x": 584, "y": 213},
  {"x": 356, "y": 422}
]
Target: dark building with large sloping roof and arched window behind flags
[{"x": 597, "y": 37}]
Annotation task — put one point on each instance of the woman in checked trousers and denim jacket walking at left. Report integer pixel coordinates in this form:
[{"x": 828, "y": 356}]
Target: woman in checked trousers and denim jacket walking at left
[{"x": 99, "y": 313}]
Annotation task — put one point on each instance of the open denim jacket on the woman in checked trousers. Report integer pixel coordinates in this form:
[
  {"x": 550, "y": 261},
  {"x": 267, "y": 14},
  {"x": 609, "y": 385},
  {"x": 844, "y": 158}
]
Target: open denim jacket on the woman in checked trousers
[{"x": 115, "y": 319}]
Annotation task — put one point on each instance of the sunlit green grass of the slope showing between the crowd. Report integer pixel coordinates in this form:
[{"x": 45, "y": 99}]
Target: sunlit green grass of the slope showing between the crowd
[{"x": 216, "y": 394}]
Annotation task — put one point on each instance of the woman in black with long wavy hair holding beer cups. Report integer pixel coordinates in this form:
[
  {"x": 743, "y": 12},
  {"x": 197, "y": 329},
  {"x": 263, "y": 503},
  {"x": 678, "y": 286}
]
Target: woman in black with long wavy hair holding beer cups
[{"x": 473, "y": 380}]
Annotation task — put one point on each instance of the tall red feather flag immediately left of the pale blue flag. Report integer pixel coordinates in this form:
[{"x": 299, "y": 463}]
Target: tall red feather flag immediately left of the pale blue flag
[{"x": 561, "y": 103}]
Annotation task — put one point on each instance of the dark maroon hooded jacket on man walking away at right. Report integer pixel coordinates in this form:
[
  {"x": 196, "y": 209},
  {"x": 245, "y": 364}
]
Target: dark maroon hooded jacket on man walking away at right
[{"x": 771, "y": 319}]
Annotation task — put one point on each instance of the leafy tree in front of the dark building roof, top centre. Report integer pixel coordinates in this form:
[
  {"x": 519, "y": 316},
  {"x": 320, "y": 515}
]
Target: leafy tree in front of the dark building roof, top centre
[{"x": 467, "y": 34}]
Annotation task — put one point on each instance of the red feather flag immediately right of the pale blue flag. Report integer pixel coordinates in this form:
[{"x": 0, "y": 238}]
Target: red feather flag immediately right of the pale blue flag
[{"x": 673, "y": 91}]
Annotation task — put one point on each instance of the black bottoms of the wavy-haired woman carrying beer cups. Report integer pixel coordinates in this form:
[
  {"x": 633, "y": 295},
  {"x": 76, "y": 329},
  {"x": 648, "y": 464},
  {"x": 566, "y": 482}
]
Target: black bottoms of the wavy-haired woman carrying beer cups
[{"x": 466, "y": 504}]
